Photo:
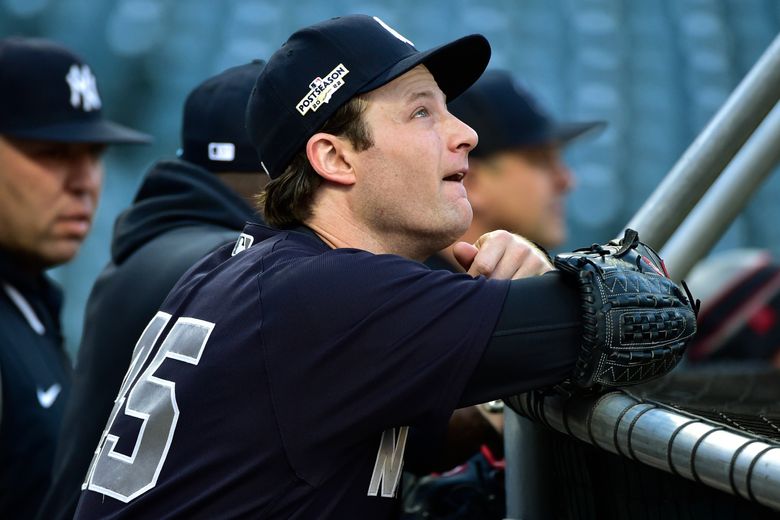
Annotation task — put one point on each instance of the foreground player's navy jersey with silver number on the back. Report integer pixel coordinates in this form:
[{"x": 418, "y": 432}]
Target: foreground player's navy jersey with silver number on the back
[{"x": 281, "y": 382}]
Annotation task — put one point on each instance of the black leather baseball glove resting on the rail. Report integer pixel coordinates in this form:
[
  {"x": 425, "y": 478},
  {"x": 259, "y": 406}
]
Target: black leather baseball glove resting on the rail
[{"x": 636, "y": 321}]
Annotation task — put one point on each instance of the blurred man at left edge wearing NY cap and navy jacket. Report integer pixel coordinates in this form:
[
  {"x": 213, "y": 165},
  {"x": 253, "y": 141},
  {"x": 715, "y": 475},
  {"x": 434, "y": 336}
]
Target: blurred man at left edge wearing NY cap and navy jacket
[{"x": 52, "y": 138}]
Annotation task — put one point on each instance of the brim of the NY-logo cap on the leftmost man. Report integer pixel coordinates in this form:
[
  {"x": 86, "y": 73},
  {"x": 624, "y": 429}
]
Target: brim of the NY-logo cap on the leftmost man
[{"x": 101, "y": 131}]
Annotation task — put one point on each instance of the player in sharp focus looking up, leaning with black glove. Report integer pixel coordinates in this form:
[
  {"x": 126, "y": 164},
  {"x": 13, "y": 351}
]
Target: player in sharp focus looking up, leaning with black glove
[{"x": 280, "y": 377}]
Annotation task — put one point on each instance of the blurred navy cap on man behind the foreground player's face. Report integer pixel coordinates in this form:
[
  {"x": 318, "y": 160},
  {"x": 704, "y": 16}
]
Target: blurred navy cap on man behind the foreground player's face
[{"x": 506, "y": 116}]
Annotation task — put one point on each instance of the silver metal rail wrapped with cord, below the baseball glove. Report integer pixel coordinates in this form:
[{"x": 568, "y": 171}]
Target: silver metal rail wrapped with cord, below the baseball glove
[{"x": 654, "y": 434}]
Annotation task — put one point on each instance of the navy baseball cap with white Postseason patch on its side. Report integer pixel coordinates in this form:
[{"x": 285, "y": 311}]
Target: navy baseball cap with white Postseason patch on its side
[{"x": 323, "y": 66}]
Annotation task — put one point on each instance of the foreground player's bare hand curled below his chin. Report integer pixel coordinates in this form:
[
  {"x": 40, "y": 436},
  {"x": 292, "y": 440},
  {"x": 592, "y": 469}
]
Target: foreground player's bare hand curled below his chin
[{"x": 502, "y": 255}]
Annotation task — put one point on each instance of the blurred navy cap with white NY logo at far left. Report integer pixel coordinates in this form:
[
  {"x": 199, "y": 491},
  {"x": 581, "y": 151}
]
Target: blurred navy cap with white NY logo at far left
[{"x": 49, "y": 93}]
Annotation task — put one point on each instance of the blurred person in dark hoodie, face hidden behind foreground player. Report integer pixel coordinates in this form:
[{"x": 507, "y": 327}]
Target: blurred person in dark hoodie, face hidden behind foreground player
[{"x": 184, "y": 209}]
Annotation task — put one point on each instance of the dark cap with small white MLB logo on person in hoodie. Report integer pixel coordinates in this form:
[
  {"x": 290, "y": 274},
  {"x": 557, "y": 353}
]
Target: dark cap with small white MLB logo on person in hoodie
[{"x": 213, "y": 135}]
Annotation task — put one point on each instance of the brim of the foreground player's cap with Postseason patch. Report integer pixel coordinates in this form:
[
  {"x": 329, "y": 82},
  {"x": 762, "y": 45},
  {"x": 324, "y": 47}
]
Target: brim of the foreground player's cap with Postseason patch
[{"x": 455, "y": 66}]
